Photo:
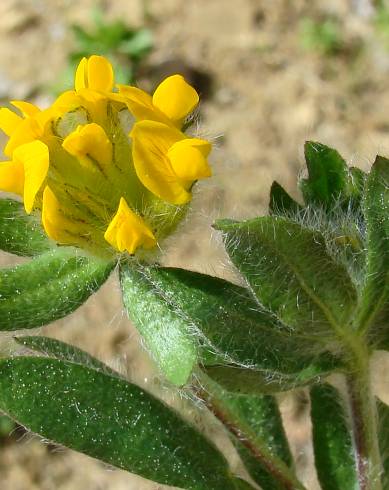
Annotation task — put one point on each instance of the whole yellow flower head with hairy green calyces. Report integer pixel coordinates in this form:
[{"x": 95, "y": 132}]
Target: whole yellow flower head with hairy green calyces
[{"x": 105, "y": 165}]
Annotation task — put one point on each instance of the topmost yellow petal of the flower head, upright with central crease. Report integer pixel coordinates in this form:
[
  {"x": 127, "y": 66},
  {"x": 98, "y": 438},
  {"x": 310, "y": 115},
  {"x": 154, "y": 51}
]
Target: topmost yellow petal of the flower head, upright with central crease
[{"x": 94, "y": 73}]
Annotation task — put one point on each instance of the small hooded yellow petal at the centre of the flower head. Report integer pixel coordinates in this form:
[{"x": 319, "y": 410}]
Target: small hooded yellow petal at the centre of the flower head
[{"x": 89, "y": 141}]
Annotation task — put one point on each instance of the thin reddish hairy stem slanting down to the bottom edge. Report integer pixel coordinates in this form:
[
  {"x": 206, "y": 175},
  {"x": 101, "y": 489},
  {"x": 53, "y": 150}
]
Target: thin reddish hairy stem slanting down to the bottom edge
[{"x": 277, "y": 468}]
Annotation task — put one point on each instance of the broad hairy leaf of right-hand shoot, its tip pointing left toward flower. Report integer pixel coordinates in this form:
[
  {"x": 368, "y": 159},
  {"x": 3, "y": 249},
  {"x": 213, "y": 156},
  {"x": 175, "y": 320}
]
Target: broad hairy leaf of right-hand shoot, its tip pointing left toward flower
[{"x": 292, "y": 275}]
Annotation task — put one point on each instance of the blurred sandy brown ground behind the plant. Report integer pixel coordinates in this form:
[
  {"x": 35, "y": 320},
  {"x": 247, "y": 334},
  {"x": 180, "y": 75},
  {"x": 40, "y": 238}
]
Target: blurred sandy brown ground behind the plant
[{"x": 271, "y": 74}]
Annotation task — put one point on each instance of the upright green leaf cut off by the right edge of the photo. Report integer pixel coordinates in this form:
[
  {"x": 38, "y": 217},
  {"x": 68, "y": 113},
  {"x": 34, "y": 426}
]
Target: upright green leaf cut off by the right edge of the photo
[{"x": 375, "y": 291}]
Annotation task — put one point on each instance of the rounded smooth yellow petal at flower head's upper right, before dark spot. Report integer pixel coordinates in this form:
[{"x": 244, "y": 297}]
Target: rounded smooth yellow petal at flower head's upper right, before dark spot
[{"x": 175, "y": 98}]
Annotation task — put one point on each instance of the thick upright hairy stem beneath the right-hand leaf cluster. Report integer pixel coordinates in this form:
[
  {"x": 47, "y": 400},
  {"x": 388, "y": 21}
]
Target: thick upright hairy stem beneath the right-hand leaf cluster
[{"x": 364, "y": 420}]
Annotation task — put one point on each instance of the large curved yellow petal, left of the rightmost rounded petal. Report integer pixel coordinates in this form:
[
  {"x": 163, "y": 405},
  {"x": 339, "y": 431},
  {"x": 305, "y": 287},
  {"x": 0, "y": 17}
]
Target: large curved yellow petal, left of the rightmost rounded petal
[{"x": 151, "y": 142}]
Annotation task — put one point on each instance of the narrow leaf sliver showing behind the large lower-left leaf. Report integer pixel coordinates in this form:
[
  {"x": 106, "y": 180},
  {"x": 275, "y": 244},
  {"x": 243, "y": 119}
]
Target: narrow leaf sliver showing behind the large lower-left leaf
[{"x": 60, "y": 350}]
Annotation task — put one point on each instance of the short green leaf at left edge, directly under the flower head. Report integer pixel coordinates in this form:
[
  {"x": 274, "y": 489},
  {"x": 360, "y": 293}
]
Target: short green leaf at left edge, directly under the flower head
[{"x": 20, "y": 233}]
